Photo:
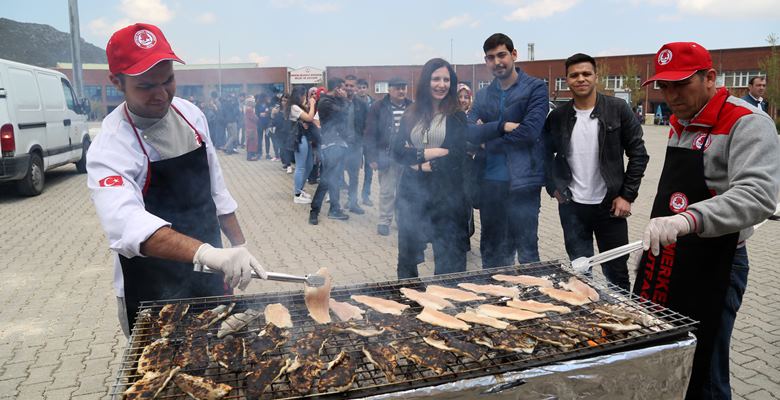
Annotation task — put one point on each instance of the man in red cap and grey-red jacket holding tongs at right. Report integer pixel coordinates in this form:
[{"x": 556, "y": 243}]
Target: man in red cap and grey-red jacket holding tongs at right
[{"x": 721, "y": 176}]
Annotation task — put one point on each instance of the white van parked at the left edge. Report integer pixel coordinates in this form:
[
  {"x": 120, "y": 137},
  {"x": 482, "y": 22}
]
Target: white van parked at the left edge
[{"x": 42, "y": 125}]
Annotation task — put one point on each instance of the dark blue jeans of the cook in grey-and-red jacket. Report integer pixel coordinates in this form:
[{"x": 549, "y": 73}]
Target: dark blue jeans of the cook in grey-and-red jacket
[{"x": 719, "y": 387}]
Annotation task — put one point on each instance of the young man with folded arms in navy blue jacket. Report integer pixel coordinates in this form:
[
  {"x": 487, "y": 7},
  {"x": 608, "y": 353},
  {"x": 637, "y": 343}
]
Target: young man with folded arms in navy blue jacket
[{"x": 507, "y": 118}]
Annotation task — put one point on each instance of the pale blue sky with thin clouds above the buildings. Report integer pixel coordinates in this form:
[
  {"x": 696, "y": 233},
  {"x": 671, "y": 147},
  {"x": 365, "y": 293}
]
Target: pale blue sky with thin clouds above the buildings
[{"x": 297, "y": 33}]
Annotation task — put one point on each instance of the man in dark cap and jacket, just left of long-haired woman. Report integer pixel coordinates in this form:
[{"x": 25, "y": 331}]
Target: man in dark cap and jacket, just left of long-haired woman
[{"x": 382, "y": 123}]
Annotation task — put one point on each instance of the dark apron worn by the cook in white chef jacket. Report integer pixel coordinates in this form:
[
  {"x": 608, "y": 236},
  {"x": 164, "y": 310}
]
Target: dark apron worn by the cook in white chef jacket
[{"x": 177, "y": 190}]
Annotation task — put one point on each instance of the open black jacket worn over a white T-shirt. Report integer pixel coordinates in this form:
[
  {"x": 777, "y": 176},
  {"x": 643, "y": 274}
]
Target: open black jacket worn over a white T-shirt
[{"x": 619, "y": 133}]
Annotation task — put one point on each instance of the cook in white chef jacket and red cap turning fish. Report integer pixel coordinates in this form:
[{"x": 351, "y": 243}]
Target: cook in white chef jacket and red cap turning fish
[{"x": 157, "y": 185}]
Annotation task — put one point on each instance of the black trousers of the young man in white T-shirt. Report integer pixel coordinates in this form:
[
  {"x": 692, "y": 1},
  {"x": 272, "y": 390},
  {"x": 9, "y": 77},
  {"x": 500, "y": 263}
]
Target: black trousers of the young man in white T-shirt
[{"x": 580, "y": 222}]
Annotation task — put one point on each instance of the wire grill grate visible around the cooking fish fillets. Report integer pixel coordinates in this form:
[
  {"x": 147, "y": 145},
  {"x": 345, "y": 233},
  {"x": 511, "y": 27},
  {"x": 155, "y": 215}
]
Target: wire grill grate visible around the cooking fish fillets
[{"x": 370, "y": 380}]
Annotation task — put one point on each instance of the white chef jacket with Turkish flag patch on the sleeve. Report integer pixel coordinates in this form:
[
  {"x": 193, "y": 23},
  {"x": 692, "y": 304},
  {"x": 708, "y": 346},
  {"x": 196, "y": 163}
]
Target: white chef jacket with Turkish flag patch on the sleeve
[{"x": 116, "y": 152}]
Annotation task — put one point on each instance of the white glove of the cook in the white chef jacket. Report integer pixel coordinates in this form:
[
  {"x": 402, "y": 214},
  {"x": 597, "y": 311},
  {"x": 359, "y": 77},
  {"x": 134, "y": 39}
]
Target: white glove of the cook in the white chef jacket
[{"x": 236, "y": 263}]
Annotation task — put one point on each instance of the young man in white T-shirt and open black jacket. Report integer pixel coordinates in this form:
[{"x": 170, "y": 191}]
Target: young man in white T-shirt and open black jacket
[{"x": 587, "y": 138}]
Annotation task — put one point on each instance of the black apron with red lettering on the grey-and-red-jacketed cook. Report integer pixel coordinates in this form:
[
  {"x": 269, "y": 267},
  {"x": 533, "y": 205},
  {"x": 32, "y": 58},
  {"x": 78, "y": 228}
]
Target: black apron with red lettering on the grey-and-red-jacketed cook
[{"x": 692, "y": 275}]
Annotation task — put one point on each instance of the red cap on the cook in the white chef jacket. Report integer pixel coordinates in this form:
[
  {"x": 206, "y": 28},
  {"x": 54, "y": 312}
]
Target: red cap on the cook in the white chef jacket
[{"x": 137, "y": 48}]
